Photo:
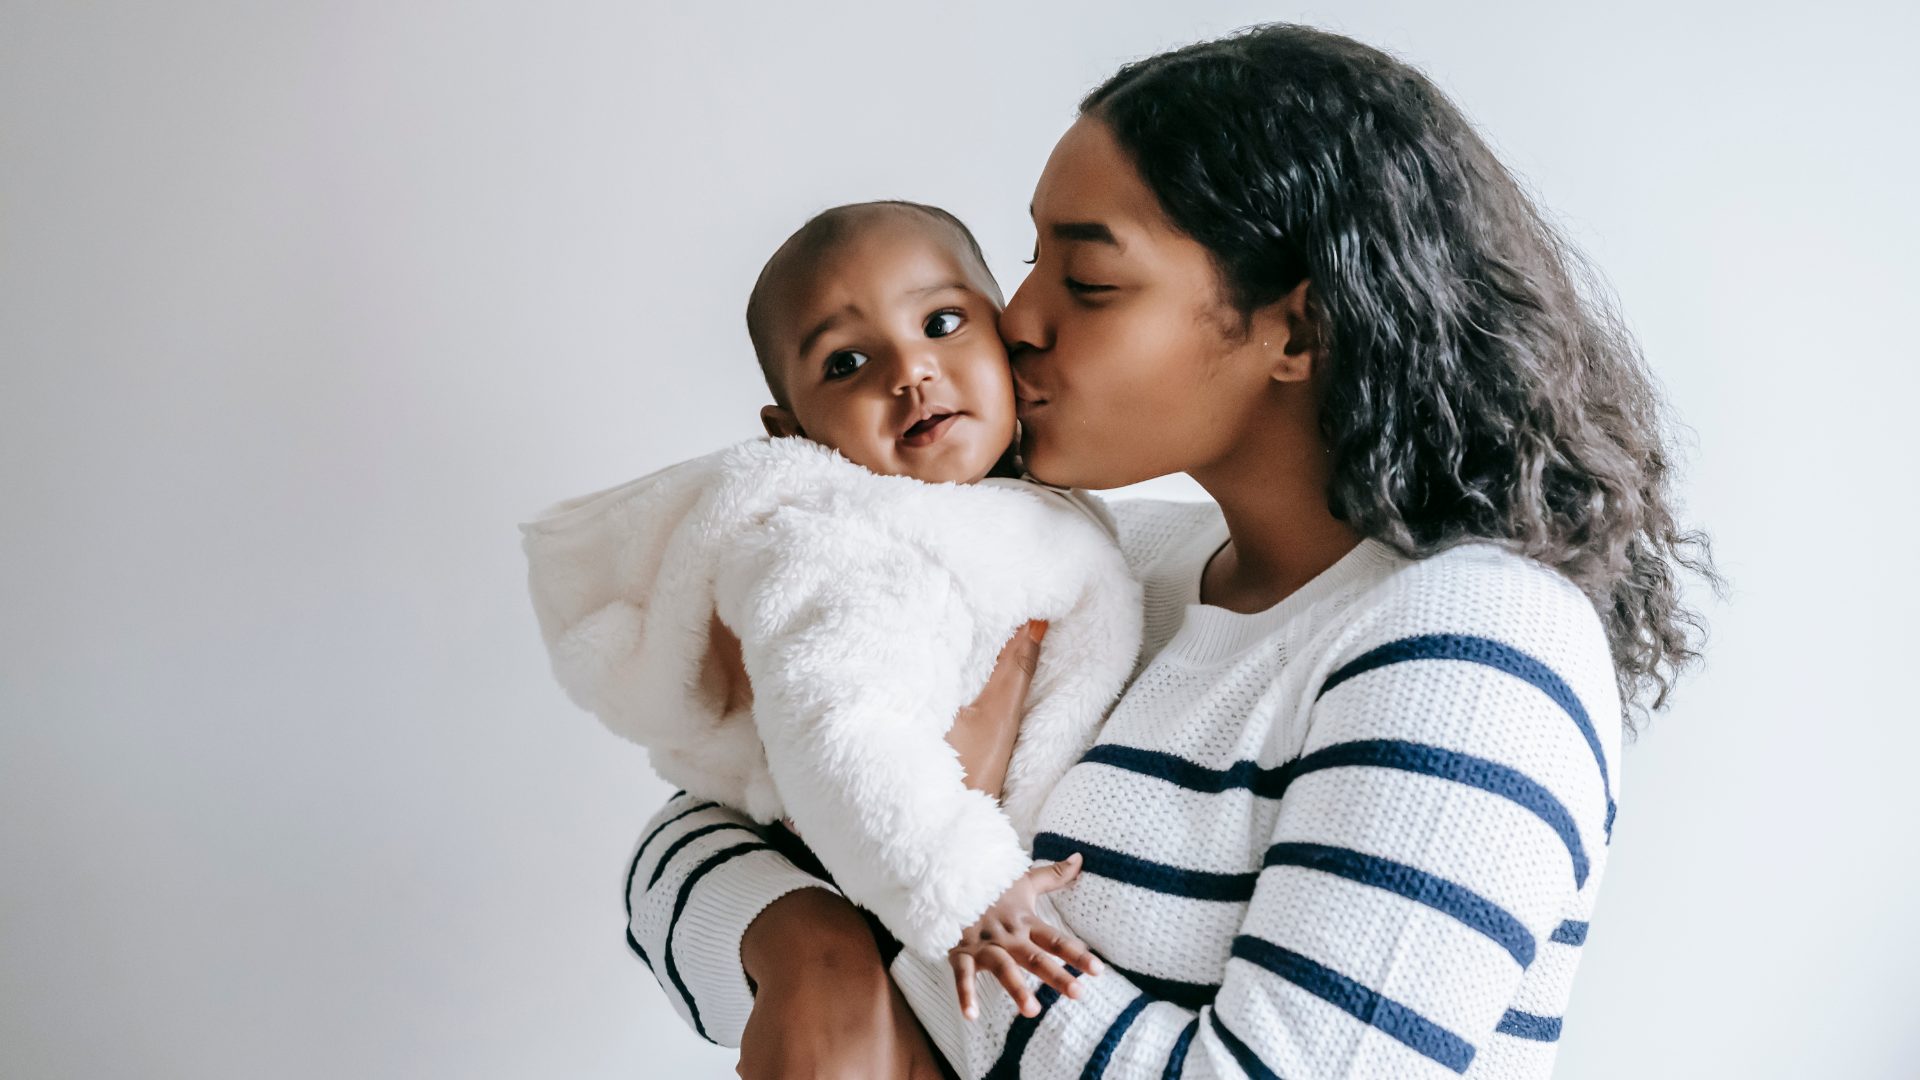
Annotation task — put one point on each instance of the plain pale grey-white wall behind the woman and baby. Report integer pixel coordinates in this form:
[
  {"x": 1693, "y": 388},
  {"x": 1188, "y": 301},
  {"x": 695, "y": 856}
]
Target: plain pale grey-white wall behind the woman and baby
[{"x": 304, "y": 307}]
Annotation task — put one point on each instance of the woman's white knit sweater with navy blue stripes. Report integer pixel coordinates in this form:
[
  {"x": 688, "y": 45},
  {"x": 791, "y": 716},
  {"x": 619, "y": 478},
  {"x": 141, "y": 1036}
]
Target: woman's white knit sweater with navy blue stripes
[{"x": 1355, "y": 835}]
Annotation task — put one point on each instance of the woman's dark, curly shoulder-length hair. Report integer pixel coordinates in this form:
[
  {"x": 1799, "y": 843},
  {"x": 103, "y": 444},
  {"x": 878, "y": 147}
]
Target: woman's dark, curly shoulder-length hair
[{"x": 1479, "y": 383}]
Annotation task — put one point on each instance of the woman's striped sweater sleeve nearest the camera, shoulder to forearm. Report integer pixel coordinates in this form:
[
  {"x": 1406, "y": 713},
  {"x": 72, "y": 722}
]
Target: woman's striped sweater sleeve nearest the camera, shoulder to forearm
[{"x": 1449, "y": 808}]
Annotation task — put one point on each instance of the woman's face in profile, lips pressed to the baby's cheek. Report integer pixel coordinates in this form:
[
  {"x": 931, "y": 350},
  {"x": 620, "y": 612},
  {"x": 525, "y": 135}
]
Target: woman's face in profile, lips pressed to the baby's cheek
[{"x": 1128, "y": 362}]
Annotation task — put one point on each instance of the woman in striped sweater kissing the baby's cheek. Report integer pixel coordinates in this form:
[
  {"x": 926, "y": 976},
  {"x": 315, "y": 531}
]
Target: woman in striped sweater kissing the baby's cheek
[{"x": 1353, "y": 814}]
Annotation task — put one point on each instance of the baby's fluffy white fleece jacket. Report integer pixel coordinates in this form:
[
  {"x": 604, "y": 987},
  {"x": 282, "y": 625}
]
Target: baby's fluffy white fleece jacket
[{"x": 869, "y": 612}]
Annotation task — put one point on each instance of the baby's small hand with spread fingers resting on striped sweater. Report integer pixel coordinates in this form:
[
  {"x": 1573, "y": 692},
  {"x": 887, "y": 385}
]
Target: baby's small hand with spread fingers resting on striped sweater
[{"x": 1011, "y": 937}]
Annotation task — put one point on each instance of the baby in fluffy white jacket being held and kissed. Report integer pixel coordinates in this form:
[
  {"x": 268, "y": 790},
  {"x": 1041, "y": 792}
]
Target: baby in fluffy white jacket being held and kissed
[{"x": 863, "y": 568}]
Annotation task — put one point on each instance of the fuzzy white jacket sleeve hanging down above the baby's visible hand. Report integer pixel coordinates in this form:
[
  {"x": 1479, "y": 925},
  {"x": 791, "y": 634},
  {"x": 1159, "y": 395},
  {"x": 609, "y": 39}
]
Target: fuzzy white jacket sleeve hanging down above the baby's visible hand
[{"x": 855, "y": 645}]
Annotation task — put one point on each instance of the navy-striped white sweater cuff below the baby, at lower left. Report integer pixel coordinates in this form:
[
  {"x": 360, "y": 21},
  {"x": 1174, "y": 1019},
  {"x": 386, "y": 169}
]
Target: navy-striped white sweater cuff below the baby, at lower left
[{"x": 698, "y": 881}]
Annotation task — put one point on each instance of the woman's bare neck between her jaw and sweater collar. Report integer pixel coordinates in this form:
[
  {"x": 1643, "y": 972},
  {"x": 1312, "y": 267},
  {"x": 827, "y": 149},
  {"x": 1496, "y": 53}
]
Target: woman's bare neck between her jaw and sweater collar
[{"x": 1282, "y": 535}]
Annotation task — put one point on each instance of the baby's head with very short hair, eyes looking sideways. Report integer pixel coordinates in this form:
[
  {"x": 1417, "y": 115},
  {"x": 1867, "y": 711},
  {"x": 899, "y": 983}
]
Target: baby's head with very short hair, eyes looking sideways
[{"x": 878, "y": 333}]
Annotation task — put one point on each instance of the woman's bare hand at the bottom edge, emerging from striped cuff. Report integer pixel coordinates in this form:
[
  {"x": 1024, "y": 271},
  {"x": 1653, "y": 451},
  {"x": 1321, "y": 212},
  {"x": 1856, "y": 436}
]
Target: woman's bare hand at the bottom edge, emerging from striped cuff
[{"x": 825, "y": 1006}]
